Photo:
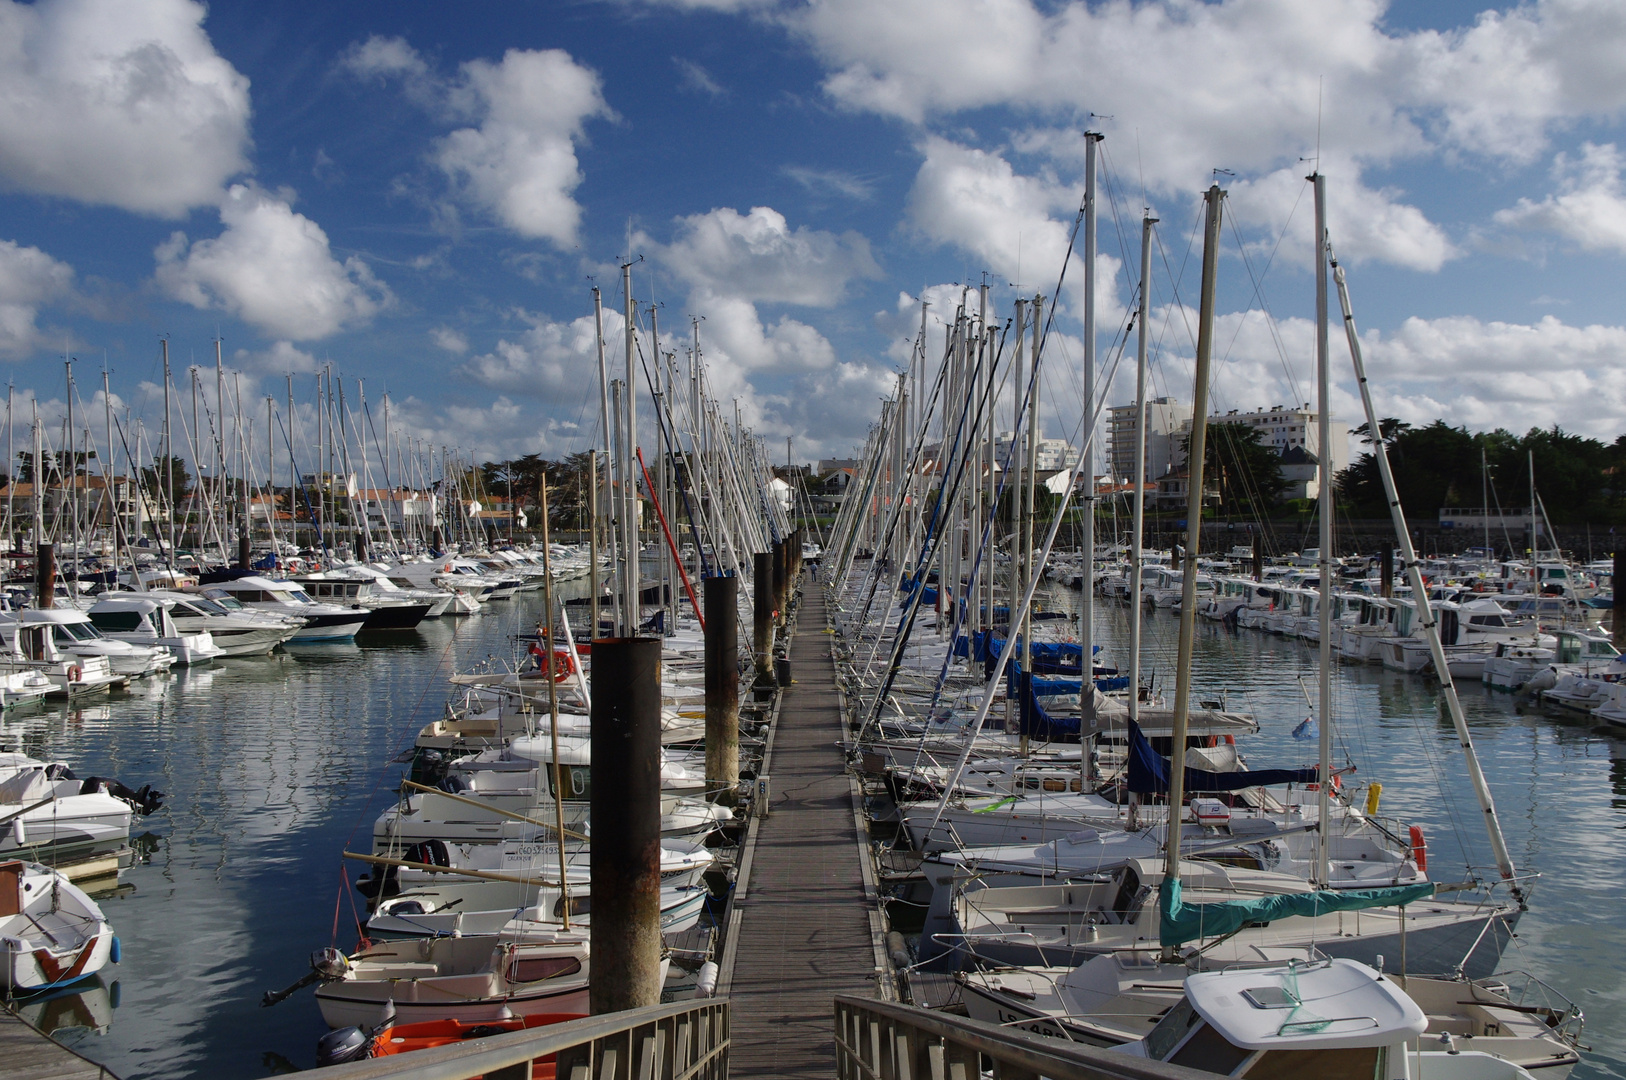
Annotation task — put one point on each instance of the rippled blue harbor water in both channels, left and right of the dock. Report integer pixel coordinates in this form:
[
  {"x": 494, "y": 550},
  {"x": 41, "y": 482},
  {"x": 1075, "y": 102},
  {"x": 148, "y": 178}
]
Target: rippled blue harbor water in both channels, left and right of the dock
[{"x": 276, "y": 765}]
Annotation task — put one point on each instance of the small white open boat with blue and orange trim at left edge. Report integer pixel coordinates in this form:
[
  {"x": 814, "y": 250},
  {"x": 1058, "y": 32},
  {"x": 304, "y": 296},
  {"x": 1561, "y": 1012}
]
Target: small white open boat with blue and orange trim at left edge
[{"x": 51, "y": 933}]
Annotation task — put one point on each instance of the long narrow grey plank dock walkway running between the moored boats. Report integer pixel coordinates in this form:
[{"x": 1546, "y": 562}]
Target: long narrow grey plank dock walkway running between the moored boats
[{"x": 804, "y": 928}]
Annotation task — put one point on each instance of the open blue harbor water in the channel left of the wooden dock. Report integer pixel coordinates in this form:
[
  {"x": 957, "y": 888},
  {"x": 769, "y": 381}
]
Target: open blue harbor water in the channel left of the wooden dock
[{"x": 274, "y": 767}]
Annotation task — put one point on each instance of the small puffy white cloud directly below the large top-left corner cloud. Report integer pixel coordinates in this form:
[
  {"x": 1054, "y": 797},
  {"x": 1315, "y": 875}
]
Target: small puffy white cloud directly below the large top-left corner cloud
[{"x": 274, "y": 269}]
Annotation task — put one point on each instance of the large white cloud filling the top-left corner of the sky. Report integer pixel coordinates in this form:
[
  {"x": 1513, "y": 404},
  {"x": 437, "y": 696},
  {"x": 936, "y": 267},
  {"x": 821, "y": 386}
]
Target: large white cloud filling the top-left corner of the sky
[{"x": 116, "y": 103}]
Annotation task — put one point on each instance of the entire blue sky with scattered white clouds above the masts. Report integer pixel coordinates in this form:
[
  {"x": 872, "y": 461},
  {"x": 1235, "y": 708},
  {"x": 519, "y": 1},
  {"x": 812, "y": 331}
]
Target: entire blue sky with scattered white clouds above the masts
[{"x": 425, "y": 194}]
